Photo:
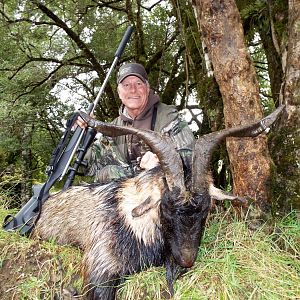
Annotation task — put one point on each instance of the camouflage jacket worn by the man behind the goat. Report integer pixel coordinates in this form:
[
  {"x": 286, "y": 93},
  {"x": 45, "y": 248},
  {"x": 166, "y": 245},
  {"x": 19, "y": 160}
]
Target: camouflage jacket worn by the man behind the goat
[{"x": 112, "y": 158}]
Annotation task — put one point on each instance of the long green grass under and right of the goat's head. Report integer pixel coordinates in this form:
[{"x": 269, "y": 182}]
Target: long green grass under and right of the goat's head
[{"x": 234, "y": 263}]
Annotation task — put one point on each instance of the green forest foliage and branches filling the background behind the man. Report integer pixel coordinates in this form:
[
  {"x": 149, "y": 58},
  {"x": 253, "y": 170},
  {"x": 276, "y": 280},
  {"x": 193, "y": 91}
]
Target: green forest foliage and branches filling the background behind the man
[{"x": 50, "y": 66}]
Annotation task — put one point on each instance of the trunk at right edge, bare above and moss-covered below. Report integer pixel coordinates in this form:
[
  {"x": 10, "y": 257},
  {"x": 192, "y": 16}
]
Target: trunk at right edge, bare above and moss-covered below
[{"x": 286, "y": 142}]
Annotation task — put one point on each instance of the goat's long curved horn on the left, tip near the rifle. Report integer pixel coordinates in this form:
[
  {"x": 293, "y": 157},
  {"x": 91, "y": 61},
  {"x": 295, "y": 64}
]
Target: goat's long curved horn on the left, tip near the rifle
[{"x": 169, "y": 158}]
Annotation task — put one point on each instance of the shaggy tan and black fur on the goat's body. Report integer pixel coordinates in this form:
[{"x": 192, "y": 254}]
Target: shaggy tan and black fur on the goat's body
[{"x": 99, "y": 220}]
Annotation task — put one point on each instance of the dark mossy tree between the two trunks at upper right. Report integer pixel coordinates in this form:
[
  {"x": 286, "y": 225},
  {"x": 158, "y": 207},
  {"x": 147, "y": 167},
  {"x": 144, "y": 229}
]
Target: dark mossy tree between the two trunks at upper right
[{"x": 265, "y": 23}]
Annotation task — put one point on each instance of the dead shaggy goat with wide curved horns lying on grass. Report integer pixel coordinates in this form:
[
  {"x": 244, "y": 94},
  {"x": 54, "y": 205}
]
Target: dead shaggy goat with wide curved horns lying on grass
[{"x": 156, "y": 218}]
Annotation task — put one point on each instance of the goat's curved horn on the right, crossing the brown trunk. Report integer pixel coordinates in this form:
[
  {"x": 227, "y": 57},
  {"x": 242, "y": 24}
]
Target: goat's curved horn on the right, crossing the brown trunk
[{"x": 206, "y": 144}]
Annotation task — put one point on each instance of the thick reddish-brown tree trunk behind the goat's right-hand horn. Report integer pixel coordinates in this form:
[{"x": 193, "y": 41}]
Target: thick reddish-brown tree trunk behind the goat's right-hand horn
[{"x": 222, "y": 32}]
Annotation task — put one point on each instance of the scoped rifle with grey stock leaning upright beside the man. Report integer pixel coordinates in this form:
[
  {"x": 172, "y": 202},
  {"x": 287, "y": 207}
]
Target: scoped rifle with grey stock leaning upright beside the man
[{"x": 62, "y": 156}]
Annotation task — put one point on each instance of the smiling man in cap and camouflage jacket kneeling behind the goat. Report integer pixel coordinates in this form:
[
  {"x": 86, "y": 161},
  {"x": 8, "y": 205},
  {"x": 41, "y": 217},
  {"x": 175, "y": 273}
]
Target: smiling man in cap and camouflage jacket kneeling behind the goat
[{"x": 113, "y": 158}]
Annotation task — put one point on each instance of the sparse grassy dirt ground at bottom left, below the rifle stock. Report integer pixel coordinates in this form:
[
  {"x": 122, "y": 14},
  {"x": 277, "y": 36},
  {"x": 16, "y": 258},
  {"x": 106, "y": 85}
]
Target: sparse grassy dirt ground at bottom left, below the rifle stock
[{"x": 31, "y": 269}]
